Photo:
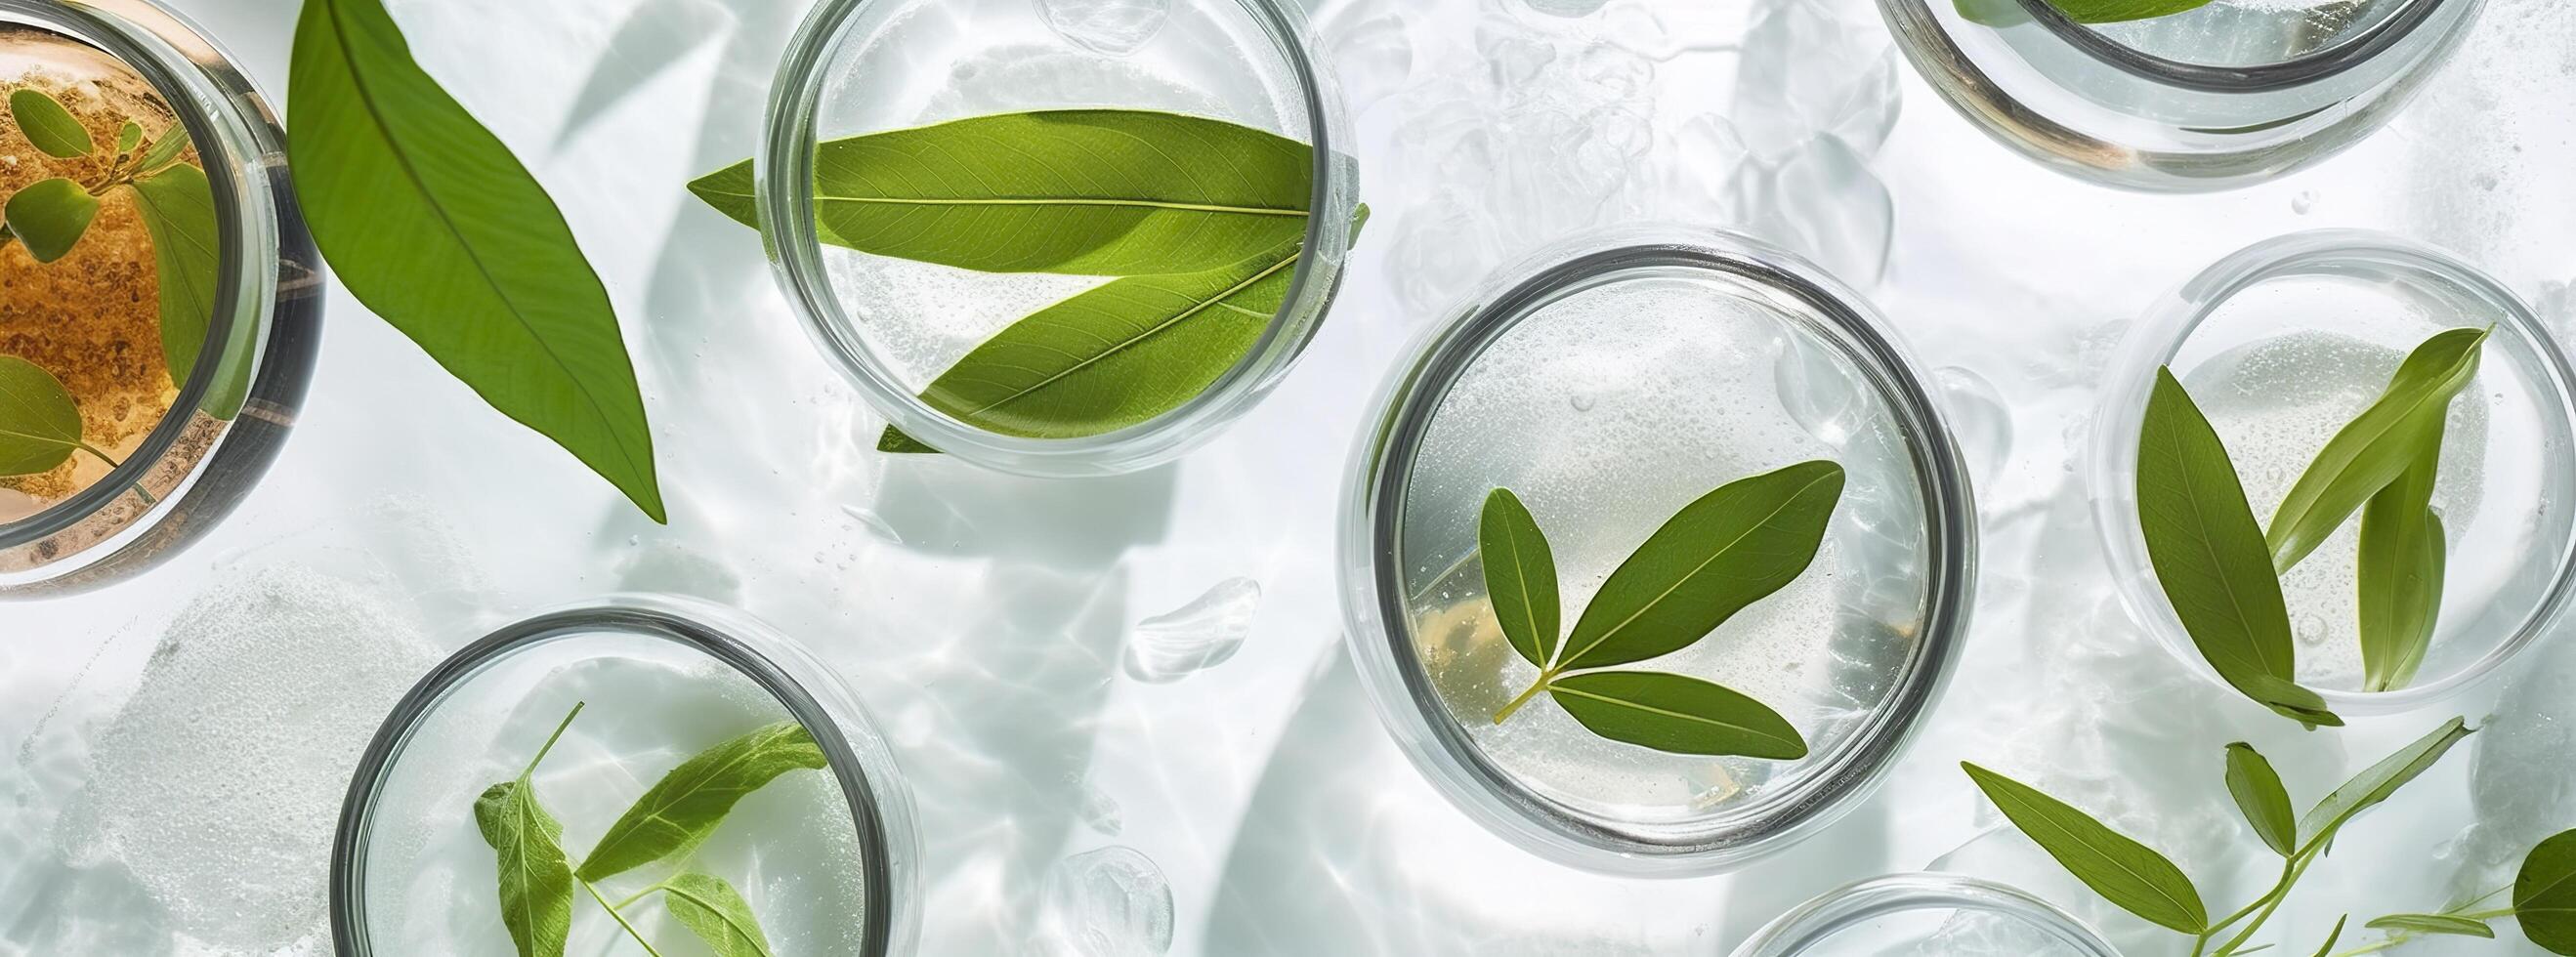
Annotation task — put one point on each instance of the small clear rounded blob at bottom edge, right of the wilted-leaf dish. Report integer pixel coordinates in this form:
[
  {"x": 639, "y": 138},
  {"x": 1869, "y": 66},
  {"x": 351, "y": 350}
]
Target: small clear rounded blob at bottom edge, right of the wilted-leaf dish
[{"x": 1106, "y": 904}]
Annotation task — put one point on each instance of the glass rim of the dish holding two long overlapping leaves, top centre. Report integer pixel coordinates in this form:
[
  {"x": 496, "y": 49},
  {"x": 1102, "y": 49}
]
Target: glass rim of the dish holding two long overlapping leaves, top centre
[{"x": 782, "y": 184}]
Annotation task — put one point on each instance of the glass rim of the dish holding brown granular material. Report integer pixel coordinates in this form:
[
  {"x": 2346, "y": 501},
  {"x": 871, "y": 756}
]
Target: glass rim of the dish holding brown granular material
[{"x": 243, "y": 153}]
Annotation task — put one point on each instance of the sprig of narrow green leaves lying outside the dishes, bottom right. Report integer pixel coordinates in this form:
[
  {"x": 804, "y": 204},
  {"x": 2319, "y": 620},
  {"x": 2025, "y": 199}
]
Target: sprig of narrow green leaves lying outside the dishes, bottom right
[{"x": 2142, "y": 881}]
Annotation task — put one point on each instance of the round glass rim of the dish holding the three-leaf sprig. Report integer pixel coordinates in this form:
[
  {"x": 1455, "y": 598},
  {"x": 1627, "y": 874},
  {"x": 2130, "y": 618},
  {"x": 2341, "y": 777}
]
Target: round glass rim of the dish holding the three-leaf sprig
[{"x": 1372, "y": 596}]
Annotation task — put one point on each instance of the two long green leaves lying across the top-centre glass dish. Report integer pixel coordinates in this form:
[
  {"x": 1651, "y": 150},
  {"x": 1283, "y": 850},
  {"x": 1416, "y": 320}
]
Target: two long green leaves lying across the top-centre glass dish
[{"x": 1199, "y": 223}]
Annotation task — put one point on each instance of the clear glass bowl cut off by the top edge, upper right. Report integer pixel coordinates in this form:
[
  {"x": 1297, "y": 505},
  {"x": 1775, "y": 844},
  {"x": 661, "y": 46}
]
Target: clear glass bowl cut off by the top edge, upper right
[{"x": 2199, "y": 102}]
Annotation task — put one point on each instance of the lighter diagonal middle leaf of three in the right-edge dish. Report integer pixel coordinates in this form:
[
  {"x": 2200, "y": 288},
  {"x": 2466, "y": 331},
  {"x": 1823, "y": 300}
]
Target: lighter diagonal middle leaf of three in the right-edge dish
[{"x": 2376, "y": 446}]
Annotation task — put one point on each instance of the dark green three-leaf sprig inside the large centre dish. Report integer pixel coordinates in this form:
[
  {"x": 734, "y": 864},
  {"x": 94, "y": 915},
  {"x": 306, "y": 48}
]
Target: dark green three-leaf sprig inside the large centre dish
[{"x": 1709, "y": 562}]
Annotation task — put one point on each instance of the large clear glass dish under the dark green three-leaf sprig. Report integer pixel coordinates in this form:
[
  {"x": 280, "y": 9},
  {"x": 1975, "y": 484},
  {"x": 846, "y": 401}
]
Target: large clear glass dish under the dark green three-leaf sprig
[{"x": 1609, "y": 382}]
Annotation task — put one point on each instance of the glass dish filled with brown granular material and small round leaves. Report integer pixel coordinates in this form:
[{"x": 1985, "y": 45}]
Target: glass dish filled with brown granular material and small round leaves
[{"x": 179, "y": 325}]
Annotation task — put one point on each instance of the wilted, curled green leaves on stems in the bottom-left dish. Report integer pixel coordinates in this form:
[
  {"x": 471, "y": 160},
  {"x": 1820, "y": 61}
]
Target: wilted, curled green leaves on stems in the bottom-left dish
[{"x": 674, "y": 817}]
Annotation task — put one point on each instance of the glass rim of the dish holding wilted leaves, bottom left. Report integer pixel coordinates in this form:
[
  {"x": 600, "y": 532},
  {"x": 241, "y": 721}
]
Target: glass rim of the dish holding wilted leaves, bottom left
[{"x": 869, "y": 778}]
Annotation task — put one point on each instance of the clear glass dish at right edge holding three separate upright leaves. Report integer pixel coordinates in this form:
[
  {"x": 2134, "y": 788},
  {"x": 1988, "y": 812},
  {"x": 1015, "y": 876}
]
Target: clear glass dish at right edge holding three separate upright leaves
[{"x": 2281, "y": 346}]
